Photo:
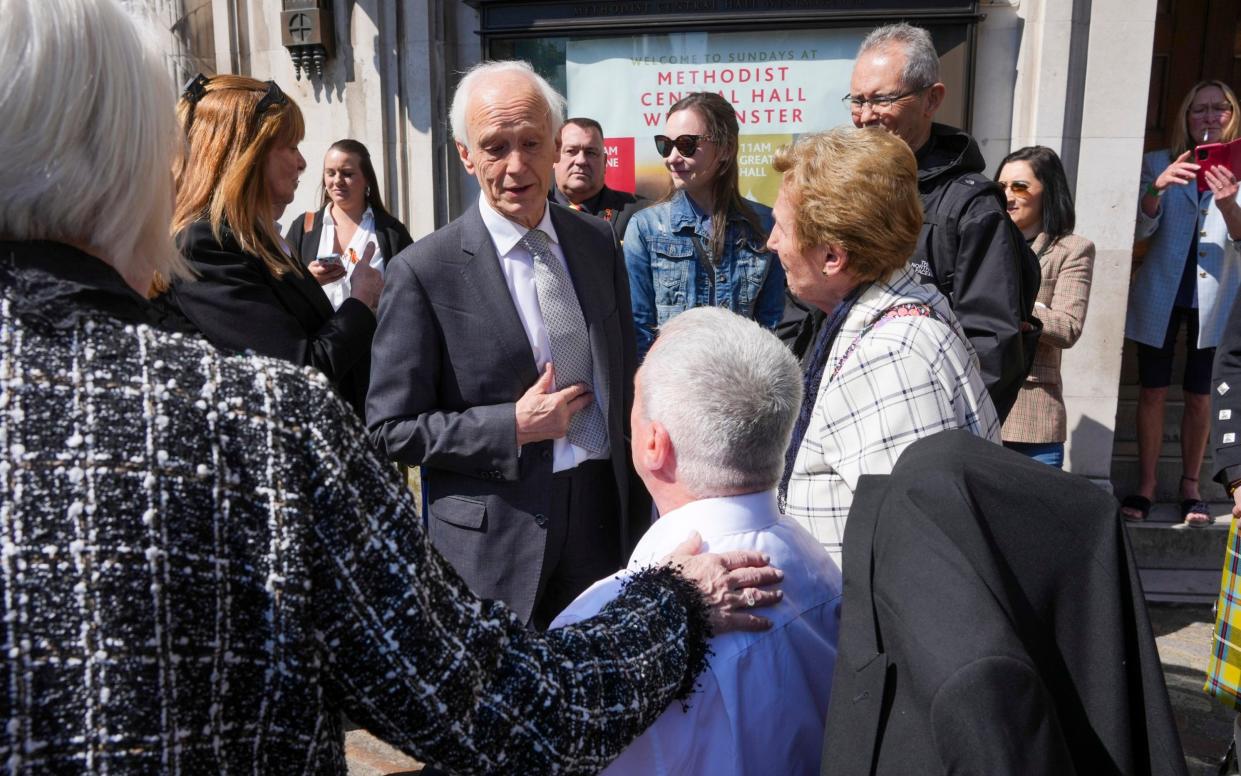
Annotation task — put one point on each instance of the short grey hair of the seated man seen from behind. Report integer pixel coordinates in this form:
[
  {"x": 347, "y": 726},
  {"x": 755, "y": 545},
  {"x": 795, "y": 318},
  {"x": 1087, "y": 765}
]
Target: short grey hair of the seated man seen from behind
[{"x": 728, "y": 392}]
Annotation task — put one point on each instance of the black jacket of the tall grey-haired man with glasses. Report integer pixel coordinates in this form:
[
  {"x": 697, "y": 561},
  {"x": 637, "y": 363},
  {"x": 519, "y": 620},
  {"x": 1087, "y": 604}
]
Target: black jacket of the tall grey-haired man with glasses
[{"x": 983, "y": 275}]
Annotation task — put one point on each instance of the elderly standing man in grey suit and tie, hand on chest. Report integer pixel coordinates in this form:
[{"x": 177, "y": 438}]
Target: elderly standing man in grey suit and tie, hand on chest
[{"x": 504, "y": 361}]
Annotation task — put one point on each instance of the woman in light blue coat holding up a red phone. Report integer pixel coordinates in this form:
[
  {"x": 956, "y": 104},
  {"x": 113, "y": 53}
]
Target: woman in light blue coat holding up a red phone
[{"x": 1189, "y": 277}]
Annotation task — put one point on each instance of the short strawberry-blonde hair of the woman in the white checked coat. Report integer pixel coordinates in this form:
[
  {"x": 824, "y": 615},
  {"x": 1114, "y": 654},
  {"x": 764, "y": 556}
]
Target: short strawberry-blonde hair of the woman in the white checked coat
[{"x": 857, "y": 189}]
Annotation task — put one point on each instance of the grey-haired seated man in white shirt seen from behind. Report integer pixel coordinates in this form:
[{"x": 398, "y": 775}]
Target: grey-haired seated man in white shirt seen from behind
[{"x": 715, "y": 404}]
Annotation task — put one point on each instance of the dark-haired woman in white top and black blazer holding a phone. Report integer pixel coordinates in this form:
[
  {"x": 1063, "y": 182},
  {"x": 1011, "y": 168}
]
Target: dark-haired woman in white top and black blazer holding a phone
[{"x": 353, "y": 227}]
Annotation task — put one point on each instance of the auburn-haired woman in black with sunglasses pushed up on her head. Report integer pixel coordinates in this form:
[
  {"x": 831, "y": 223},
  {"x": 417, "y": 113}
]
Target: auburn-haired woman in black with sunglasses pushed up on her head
[{"x": 236, "y": 178}]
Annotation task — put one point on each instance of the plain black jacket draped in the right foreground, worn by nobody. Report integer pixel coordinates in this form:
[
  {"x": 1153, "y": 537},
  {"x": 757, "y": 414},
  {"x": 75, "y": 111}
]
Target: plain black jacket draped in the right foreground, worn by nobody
[{"x": 993, "y": 623}]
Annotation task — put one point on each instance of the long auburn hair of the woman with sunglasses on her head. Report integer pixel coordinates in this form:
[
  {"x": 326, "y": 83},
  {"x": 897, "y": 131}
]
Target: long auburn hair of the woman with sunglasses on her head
[{"x": 222, "y": 177}]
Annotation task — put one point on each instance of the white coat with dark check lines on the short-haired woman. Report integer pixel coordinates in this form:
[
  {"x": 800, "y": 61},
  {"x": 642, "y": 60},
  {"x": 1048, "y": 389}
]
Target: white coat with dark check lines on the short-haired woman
[{"x": 905, "y": 379}]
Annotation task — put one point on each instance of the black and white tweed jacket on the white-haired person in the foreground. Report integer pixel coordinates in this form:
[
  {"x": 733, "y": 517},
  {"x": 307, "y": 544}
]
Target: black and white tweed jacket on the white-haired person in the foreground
[{"x": 203, "y": 566}]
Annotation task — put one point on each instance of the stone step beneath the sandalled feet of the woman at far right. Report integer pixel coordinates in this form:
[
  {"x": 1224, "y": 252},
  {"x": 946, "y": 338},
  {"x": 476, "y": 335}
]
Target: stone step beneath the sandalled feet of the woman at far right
[{"x": 1180, "y": 563}]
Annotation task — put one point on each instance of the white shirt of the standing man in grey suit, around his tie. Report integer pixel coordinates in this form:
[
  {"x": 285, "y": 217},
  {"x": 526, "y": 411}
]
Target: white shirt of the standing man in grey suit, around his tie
[{"x": 518, "y": 266}]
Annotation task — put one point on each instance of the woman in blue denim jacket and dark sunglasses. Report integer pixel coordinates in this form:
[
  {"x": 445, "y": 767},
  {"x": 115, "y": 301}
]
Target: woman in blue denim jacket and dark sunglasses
[{"x": 704, "y": 244}]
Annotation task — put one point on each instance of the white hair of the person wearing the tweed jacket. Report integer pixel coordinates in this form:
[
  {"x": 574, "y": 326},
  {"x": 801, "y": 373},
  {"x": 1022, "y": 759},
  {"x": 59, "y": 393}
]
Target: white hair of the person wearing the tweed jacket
[{"x": 89, "y": 132}]
